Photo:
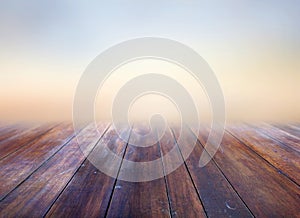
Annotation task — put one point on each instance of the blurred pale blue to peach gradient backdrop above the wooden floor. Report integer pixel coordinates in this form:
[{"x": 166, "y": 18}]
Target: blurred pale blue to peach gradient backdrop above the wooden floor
[{"x": 253, "y": 46}]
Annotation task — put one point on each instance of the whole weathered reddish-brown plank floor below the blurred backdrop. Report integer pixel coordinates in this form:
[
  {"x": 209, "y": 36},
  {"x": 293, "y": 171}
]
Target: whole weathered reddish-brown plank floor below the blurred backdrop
[{"x": 256, "y": 172}]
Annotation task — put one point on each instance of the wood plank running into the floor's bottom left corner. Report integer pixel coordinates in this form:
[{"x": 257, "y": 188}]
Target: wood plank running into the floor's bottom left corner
[{"x": 36, "y": 194}]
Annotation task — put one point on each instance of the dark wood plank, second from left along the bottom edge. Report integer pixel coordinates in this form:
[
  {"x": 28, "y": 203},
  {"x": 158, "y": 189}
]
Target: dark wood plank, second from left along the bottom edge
[{"x": 89, "y": 192}]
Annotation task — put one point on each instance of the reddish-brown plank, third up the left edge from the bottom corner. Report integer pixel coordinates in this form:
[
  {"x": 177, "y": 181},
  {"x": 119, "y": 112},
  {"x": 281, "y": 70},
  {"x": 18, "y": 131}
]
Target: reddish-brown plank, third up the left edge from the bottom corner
[{"x": 23, "y": 138}]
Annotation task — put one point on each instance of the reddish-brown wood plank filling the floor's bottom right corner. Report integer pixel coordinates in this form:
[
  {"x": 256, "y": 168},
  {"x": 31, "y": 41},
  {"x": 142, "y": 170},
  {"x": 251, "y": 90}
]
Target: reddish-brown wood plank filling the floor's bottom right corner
[{"x": 266, "y": 191}]
